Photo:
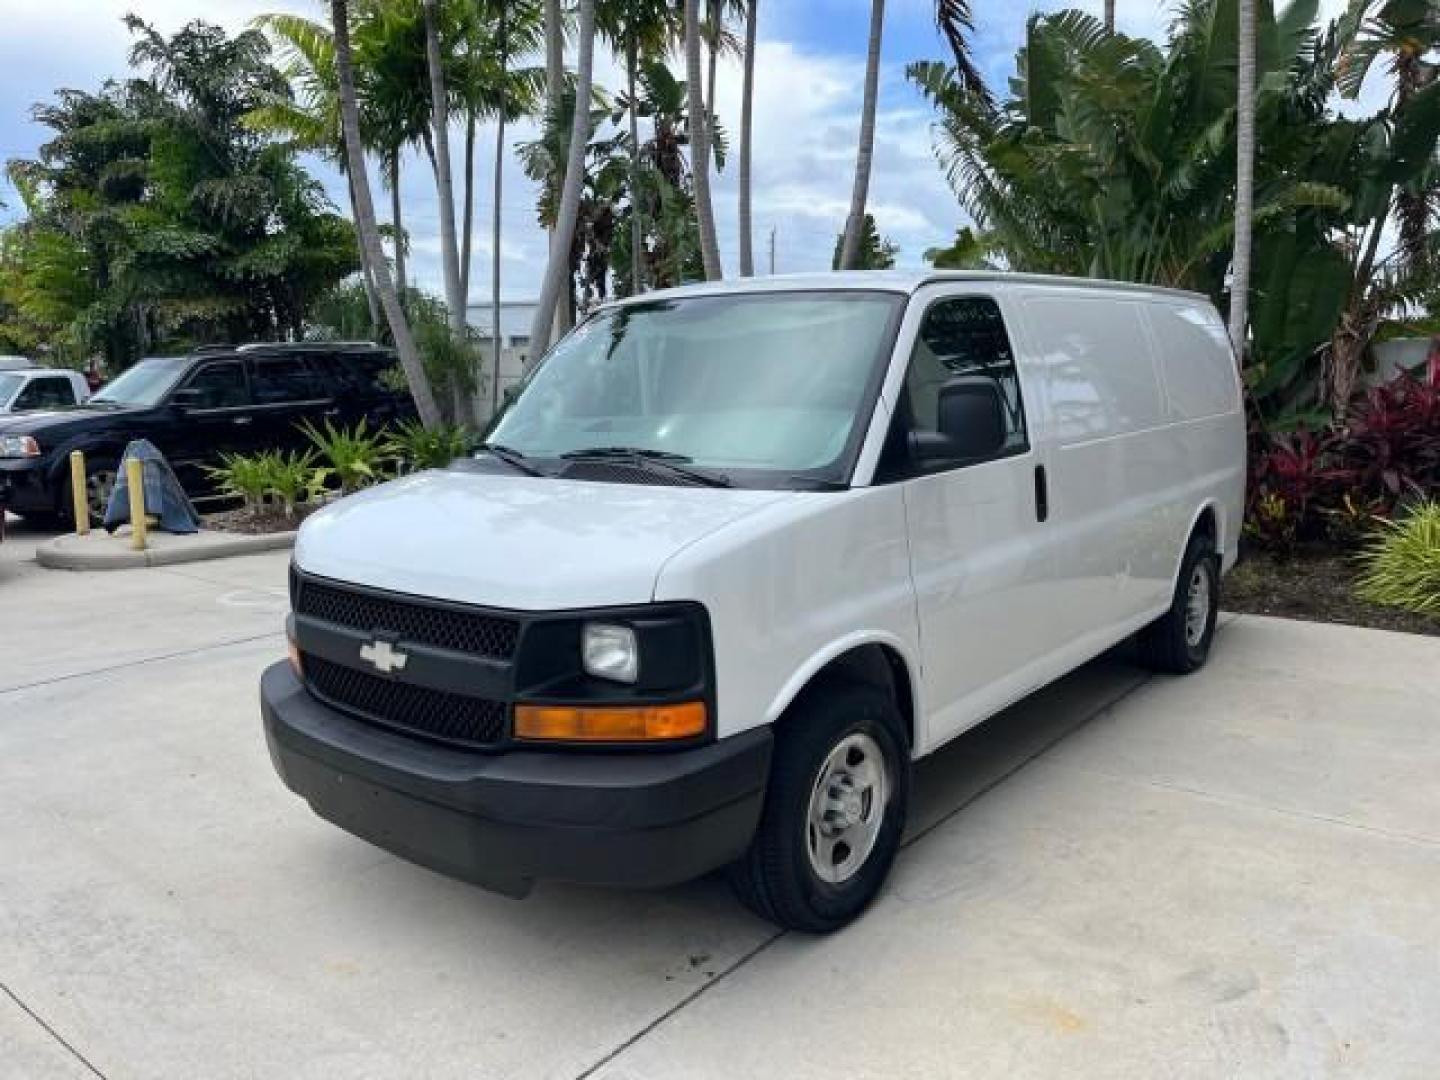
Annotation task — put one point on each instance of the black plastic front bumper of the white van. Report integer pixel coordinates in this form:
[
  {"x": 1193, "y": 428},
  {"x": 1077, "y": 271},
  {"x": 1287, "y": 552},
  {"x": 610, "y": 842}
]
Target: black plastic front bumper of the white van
[{"x": 505, "y": 822}]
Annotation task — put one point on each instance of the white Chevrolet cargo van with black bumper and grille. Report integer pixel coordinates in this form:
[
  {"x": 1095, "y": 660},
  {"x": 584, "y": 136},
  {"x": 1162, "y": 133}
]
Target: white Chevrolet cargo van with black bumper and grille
[{"x": 738, "y": 555}]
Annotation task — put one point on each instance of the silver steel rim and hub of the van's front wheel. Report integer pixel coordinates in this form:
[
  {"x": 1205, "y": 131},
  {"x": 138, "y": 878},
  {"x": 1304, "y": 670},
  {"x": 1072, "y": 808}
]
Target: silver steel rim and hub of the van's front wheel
[{"x": 847, "y": 809}]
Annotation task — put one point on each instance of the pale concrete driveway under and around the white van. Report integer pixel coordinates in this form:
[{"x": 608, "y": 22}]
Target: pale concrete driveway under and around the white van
[{"x": 1228, "y": 876}]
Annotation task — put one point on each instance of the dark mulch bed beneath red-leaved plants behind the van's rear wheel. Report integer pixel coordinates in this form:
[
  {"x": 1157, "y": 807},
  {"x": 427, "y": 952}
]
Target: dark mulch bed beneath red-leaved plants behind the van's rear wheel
[{"x": 1315, "y": 585}]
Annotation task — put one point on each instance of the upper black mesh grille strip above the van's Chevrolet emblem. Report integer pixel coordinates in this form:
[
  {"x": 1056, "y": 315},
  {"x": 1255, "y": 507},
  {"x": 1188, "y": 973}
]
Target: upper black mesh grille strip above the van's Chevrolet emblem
[{"x": 423, "y": 623}]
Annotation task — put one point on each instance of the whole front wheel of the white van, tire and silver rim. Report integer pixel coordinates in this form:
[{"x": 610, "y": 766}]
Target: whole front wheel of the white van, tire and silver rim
[{"x": 834, "y": 813}]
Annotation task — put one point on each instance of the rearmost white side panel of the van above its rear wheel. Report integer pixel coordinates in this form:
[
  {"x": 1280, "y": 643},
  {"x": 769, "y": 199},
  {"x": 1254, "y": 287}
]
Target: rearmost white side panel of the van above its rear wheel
[{"x": 1205, "y": 407}]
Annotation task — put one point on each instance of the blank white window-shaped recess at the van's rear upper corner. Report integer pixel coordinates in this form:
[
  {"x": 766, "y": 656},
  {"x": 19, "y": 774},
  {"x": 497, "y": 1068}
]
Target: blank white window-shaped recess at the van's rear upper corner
[{"x": 1196, "y": 362}]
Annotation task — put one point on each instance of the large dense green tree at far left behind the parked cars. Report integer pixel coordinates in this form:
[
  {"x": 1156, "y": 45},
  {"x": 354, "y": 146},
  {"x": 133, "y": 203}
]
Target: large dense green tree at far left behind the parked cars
[{"x": 156, "y": 218}]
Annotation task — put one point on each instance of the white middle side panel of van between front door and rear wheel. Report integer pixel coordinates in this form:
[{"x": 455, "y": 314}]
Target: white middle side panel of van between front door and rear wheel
[{"x": 1114, "y": 462}]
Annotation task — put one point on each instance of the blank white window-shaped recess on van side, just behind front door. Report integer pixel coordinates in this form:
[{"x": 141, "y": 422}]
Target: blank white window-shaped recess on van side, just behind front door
[{"x": 1098, "y": 368}]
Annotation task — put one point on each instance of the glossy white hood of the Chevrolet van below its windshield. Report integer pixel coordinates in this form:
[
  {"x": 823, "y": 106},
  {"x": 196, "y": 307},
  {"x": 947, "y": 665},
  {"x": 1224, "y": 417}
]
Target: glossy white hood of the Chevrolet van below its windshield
[{"x": 526, "y": 544}]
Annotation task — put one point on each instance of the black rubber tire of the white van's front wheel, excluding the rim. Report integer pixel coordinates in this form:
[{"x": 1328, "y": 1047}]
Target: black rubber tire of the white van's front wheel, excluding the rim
[{"x": 778, "y": 878}]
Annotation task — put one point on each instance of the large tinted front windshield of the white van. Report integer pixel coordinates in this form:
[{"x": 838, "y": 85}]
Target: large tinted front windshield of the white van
[{"x": 737, "y": 384}]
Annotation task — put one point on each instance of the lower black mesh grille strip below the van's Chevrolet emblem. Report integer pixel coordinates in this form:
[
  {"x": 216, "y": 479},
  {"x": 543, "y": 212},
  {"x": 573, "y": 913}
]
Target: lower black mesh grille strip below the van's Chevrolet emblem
[{"x": 418, "y": 711}]
